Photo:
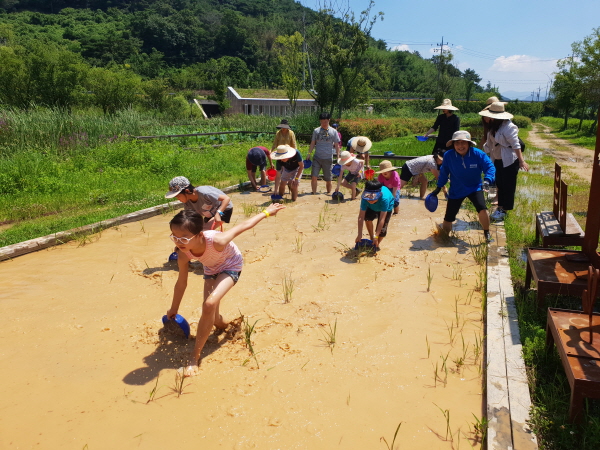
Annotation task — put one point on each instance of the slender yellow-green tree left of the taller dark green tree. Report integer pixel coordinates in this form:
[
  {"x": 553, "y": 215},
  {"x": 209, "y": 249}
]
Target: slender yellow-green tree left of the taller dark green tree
[{"x": 292, "y": 60}]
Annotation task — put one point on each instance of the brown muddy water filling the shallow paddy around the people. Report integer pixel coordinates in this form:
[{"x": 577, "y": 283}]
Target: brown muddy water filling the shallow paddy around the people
[{"x": 83, "y": 344}]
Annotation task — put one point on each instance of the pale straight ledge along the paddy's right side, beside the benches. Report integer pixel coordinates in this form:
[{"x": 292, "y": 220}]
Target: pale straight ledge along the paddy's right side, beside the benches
[{"x": 508, "y": 400}]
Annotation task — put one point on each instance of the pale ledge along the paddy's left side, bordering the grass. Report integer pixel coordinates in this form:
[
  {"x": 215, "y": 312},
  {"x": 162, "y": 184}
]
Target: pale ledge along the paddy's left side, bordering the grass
[{"x": 33, "y": 245}]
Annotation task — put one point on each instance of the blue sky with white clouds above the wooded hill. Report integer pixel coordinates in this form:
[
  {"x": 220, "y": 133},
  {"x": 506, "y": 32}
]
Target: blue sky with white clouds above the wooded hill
[{"x": 512, "y": 43}]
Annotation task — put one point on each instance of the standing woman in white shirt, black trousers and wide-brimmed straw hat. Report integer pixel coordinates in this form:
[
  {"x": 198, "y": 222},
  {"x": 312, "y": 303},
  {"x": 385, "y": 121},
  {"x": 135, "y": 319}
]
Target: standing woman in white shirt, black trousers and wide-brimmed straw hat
[{"x": 503, "y": 147}]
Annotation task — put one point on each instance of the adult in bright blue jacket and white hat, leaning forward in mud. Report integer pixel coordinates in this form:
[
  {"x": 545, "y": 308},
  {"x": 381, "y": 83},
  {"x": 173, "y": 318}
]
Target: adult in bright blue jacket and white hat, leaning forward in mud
[{"x": 464, "y": 164}]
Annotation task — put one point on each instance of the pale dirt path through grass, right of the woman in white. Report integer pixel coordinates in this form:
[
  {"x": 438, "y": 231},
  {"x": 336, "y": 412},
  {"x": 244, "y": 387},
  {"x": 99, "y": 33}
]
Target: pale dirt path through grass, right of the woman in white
[{"x": 577, "y": 159}]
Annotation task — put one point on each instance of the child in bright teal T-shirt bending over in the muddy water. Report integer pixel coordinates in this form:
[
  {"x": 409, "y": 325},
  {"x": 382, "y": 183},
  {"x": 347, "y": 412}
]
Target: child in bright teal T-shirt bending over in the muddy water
[{"x": 377, "y": 202}]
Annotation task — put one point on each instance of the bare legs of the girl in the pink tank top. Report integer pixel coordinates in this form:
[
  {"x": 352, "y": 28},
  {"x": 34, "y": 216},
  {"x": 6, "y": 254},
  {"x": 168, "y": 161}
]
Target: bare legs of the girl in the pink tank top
[{"x": 214, "y": 291}]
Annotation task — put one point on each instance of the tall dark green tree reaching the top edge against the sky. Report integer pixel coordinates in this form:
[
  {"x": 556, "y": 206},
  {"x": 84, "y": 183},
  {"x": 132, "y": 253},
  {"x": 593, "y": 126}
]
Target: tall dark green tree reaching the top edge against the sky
[{"x": 337, "y": 48}]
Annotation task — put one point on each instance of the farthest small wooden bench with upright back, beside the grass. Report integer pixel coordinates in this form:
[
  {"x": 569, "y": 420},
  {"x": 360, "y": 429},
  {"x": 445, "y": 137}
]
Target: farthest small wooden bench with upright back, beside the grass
[{"x": 557, "y": 227}]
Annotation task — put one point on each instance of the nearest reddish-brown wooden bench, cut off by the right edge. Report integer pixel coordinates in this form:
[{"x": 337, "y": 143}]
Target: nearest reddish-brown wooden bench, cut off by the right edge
[{"x": 573, "y": 333}]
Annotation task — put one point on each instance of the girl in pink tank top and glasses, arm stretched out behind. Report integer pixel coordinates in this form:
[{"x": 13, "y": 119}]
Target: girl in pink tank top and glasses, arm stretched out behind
[{"x": 222, "y": 262}]
